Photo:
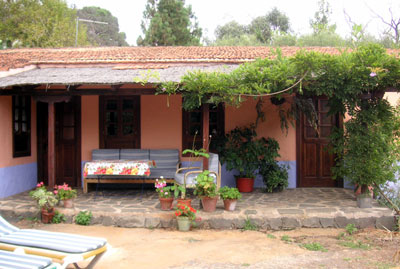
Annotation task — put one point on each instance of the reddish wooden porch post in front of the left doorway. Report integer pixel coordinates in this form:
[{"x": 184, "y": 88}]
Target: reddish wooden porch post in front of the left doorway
[{"x": 51, "y": 146}]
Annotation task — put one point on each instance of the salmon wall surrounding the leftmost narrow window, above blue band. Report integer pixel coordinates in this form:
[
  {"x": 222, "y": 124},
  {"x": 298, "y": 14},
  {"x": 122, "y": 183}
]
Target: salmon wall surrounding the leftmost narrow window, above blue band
[{"x": 6, "y": 156}]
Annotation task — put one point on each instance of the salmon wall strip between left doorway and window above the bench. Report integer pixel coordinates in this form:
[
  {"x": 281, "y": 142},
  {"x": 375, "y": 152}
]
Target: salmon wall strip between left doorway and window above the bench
[{"x": 90, "y": 126}]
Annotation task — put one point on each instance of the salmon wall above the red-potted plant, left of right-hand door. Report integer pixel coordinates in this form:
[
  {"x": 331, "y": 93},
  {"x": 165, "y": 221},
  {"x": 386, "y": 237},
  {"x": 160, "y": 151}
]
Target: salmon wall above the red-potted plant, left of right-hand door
[{"x": 271, "y": 127}]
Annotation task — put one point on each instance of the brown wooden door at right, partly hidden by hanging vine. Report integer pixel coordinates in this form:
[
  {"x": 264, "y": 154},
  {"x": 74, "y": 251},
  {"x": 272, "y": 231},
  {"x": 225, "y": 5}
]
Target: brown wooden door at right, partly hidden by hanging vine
[{"x": 313, "y": 148}]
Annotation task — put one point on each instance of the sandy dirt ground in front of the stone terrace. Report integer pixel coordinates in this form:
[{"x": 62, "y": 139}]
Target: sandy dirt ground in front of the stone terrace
[{"x": 160, "y": 248}]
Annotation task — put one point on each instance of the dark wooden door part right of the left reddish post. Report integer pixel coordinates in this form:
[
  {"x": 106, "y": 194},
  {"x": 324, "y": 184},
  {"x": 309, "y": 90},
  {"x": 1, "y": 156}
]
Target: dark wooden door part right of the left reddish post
[{"x": 68, "y": 142}]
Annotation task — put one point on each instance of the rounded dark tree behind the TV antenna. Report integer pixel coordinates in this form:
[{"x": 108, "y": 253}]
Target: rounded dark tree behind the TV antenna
[{"x": 101, "y": 34}]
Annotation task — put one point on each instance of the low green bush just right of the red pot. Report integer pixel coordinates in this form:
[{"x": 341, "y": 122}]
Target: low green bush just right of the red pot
[{"x": 275, "y": 176}]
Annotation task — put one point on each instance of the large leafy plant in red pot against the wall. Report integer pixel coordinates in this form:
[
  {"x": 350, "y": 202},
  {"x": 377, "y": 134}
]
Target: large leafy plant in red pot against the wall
[{"x": 245, "y": 153}]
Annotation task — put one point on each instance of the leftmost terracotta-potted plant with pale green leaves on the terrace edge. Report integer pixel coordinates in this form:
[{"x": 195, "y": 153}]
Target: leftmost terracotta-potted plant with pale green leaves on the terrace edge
[{"x": 46, "y": 201}]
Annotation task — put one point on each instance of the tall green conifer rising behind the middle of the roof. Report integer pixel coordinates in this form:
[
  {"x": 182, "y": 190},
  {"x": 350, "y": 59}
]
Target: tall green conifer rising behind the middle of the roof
[{"x": 169, "y": 23}]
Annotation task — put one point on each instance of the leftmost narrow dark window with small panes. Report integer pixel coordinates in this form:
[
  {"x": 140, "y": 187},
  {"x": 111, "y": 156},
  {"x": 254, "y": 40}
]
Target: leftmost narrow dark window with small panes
[{"x": 21, "y": 106}]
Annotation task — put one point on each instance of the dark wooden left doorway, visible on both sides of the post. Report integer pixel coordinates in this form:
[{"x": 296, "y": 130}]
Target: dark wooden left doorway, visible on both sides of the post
[{"x": 67, "y": 142}]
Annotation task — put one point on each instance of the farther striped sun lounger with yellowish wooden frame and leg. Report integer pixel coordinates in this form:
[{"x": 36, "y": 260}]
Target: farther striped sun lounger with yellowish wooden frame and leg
[{"x": 62, "y": 247}]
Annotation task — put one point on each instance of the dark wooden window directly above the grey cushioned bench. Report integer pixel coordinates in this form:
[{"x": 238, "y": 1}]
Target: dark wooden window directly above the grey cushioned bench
[{"x": 120, "y": 122}]
